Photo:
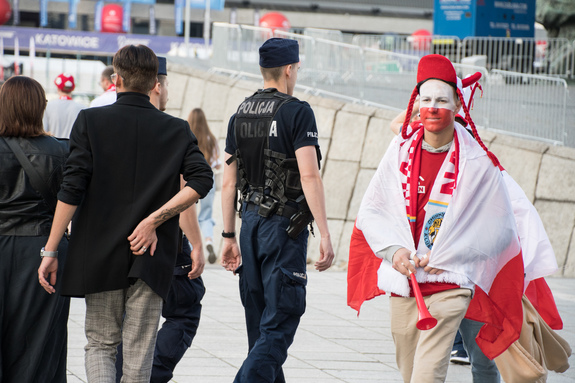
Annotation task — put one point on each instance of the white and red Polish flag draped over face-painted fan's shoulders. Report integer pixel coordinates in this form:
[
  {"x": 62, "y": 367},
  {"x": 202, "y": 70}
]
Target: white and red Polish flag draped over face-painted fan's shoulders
[{"x": 477, "y": 242}]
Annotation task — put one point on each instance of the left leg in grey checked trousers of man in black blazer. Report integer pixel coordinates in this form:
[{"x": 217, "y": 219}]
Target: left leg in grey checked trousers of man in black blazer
[{"x": 104, "y": 312}]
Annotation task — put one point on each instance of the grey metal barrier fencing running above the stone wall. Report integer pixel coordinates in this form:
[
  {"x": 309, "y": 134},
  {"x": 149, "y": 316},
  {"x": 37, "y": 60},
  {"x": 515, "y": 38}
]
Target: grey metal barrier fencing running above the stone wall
[{"x": 522, "y": 104}]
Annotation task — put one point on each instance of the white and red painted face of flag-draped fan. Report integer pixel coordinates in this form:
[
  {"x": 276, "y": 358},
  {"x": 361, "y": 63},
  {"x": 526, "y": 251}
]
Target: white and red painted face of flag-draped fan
[{"x": 437, "y": 105}]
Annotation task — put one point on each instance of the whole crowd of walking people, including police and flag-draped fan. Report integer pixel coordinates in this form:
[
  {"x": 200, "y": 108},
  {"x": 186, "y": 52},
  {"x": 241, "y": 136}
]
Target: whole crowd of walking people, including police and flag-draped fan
[{"x": 106, "y": 195}]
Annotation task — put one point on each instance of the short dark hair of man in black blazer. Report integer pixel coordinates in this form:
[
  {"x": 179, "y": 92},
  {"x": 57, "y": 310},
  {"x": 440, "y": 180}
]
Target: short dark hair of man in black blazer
[{"x": 138, "y": 67}]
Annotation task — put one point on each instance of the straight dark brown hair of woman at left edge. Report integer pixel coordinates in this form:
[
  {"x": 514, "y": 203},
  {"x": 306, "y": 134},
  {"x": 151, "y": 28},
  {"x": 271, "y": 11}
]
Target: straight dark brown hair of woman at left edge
[{"x": 22, "y": 105}]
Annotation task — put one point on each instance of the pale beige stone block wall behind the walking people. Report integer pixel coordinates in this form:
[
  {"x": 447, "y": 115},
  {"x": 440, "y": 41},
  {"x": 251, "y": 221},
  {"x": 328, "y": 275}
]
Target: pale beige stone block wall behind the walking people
[{"x": 353, "y": 141}]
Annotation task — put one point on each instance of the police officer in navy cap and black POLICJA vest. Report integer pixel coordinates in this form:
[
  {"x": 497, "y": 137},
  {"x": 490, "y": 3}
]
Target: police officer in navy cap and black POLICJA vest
[{"x": 272, "y": 153}]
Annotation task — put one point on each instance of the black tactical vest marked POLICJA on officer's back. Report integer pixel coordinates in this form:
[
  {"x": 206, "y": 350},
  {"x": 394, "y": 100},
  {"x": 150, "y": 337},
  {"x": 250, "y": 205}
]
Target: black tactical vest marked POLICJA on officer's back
[{"x": 262, "y": 171}]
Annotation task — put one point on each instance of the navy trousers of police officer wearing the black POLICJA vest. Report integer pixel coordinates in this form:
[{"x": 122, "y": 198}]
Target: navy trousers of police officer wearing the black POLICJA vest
[{"x": 272, "y": 290}]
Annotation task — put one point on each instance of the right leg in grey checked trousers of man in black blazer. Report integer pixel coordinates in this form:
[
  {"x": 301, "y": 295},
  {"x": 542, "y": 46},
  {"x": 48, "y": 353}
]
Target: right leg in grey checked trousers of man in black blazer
[{"x": 140, "y": 326}]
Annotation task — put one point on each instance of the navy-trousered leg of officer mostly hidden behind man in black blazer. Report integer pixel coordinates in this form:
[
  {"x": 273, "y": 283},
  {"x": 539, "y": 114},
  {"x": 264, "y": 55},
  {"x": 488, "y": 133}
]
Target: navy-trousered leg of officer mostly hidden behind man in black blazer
[{"x": 182, "y": 310}]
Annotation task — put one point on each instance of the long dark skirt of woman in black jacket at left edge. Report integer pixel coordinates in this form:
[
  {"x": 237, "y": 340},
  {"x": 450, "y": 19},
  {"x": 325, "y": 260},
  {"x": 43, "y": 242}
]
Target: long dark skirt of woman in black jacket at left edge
[{"x": 34, "y": 332}]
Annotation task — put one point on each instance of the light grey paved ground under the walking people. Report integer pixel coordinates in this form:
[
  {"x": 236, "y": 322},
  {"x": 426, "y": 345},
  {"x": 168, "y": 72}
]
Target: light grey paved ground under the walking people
[{"x": 332, "y": 343}]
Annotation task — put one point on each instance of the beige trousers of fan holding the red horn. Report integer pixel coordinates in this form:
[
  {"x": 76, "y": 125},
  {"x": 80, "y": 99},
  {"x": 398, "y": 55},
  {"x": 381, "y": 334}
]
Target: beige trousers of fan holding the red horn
[{"x": 423, "y": 356}]
